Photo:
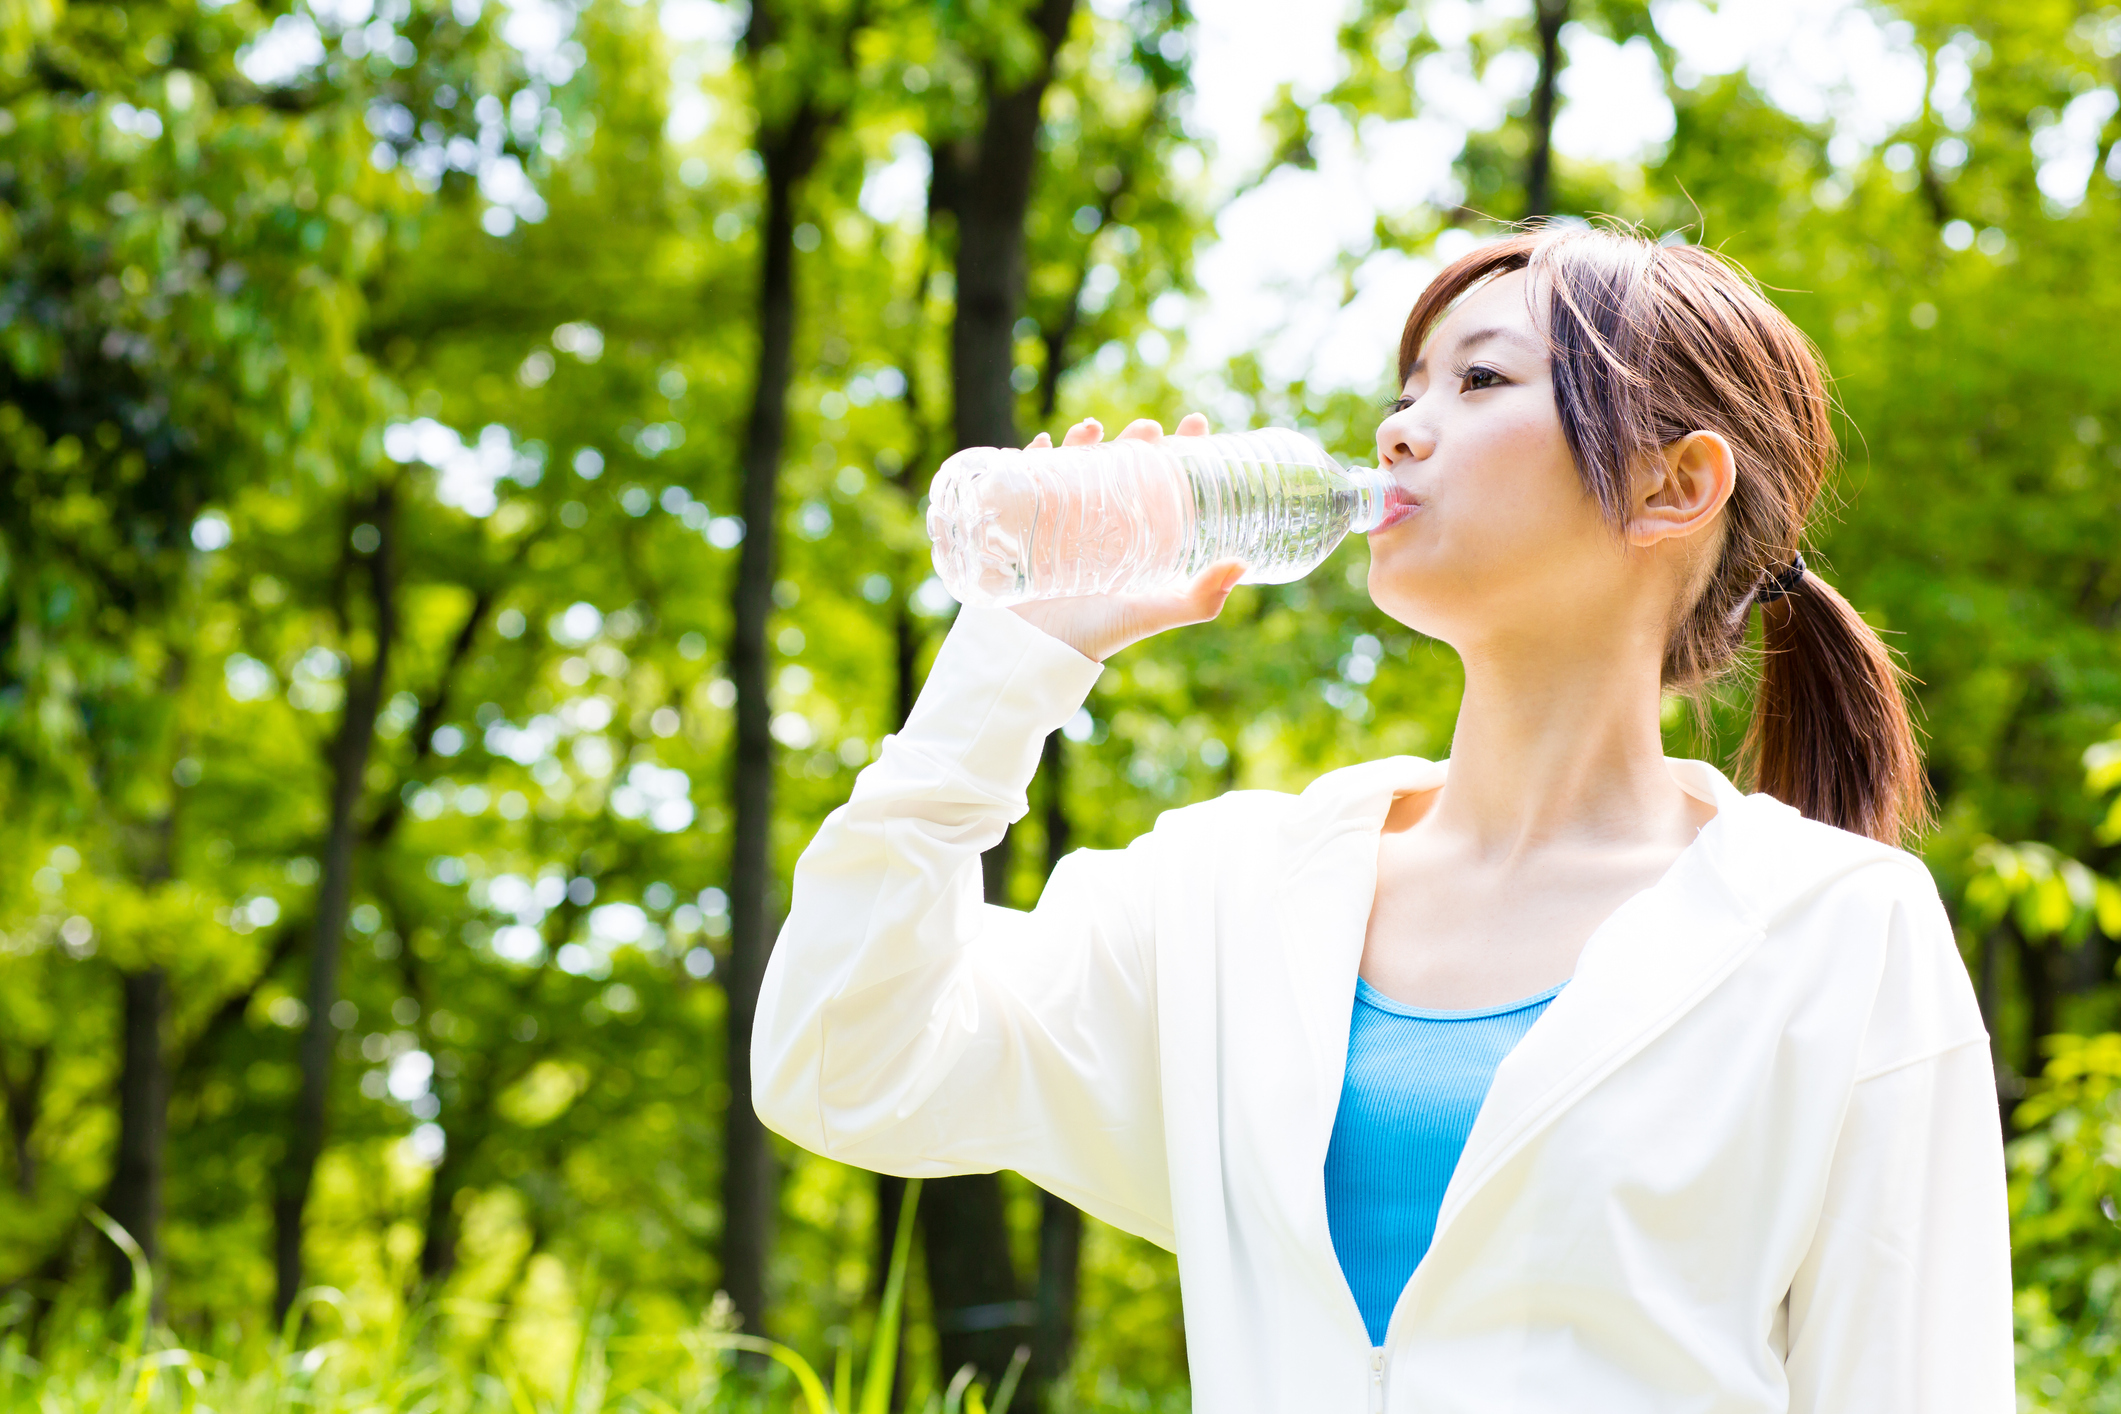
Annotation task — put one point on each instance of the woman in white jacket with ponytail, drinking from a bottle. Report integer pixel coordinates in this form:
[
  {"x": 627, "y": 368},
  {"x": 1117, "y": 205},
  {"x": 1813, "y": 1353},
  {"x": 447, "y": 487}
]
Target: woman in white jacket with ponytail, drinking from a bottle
[{"x": 1552, "y": 1078}]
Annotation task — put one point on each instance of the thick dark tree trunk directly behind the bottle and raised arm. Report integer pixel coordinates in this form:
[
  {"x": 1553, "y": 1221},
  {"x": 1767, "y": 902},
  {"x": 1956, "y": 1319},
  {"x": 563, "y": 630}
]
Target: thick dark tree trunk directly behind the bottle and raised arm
[{"x": 985, "y": 183}]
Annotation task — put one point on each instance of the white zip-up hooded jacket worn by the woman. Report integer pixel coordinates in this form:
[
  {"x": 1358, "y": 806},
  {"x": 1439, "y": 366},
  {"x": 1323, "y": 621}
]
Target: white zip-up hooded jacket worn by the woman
[{"x": 1747, "y": 1163}]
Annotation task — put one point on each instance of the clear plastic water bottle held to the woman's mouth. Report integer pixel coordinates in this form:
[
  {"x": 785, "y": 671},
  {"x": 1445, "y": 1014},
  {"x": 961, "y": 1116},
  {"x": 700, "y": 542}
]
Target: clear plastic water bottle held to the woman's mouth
[{"x": 1129, "y": 516}]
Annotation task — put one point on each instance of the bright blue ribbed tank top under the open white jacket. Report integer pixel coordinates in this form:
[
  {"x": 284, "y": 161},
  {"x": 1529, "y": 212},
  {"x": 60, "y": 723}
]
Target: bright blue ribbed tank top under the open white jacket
[{"x": 1416, "y": 1082}]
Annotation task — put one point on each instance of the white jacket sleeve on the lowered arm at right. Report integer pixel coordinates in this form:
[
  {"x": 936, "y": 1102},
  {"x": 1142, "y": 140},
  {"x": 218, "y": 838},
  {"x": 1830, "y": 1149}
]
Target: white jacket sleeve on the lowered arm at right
[{"x": 1904, "y": 1303}]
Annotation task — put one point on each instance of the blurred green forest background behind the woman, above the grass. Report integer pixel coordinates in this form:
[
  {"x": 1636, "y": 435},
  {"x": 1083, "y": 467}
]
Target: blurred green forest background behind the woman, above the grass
[{"x": 461, "y": 533}]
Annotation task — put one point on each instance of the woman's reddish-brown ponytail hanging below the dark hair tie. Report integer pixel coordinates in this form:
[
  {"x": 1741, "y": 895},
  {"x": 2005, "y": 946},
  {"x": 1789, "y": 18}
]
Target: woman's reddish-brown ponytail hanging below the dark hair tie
[{"x": 1829, "y": 724}]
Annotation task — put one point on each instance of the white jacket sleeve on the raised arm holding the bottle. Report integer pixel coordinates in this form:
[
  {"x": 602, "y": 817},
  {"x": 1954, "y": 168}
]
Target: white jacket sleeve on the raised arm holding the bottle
[{"x": 913, "y": 1029}]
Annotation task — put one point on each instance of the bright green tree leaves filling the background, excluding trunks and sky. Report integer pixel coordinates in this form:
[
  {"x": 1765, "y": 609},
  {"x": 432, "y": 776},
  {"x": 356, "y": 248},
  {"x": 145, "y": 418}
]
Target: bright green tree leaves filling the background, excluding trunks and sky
[{"x": 519, "y": 287}]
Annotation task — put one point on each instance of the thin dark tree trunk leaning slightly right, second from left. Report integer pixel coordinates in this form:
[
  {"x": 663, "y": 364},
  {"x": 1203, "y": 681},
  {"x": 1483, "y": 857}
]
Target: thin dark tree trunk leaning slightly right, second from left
[{"x": 334, "y": 900}]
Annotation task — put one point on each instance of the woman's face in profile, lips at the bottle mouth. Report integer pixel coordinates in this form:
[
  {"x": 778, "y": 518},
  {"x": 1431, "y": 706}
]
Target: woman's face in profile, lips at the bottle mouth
[{"x": 1503, "y": 537}]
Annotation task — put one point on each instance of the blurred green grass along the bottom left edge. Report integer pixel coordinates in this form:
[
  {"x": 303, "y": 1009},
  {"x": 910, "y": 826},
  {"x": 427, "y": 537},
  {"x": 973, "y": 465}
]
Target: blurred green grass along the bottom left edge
[{"x": 126, "y": 1366}]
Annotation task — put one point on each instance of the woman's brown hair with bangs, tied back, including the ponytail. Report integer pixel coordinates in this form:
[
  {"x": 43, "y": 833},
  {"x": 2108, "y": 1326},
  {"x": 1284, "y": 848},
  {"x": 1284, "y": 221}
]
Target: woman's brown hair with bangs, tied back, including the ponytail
[{"x": 1653, "y": 342}]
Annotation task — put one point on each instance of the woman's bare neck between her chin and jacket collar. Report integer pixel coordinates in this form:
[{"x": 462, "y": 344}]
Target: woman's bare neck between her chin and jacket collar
[{"x": 1558, "y": 743}]
